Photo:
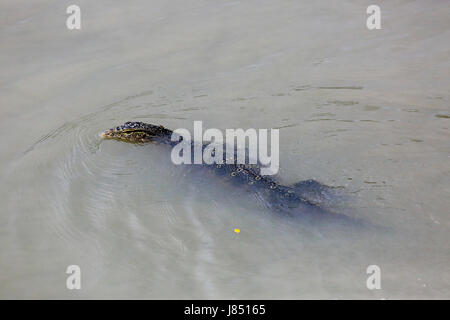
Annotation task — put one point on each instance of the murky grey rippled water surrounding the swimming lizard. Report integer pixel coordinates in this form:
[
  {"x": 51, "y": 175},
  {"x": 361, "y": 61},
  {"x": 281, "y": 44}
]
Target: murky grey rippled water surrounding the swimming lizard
[{"x": 367, "y": 111}]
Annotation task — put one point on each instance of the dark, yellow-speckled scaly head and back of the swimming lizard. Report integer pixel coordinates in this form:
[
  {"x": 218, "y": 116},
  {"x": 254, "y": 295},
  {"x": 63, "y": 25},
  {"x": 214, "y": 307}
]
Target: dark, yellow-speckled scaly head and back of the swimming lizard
[{"x": 278, "y": 197}]
